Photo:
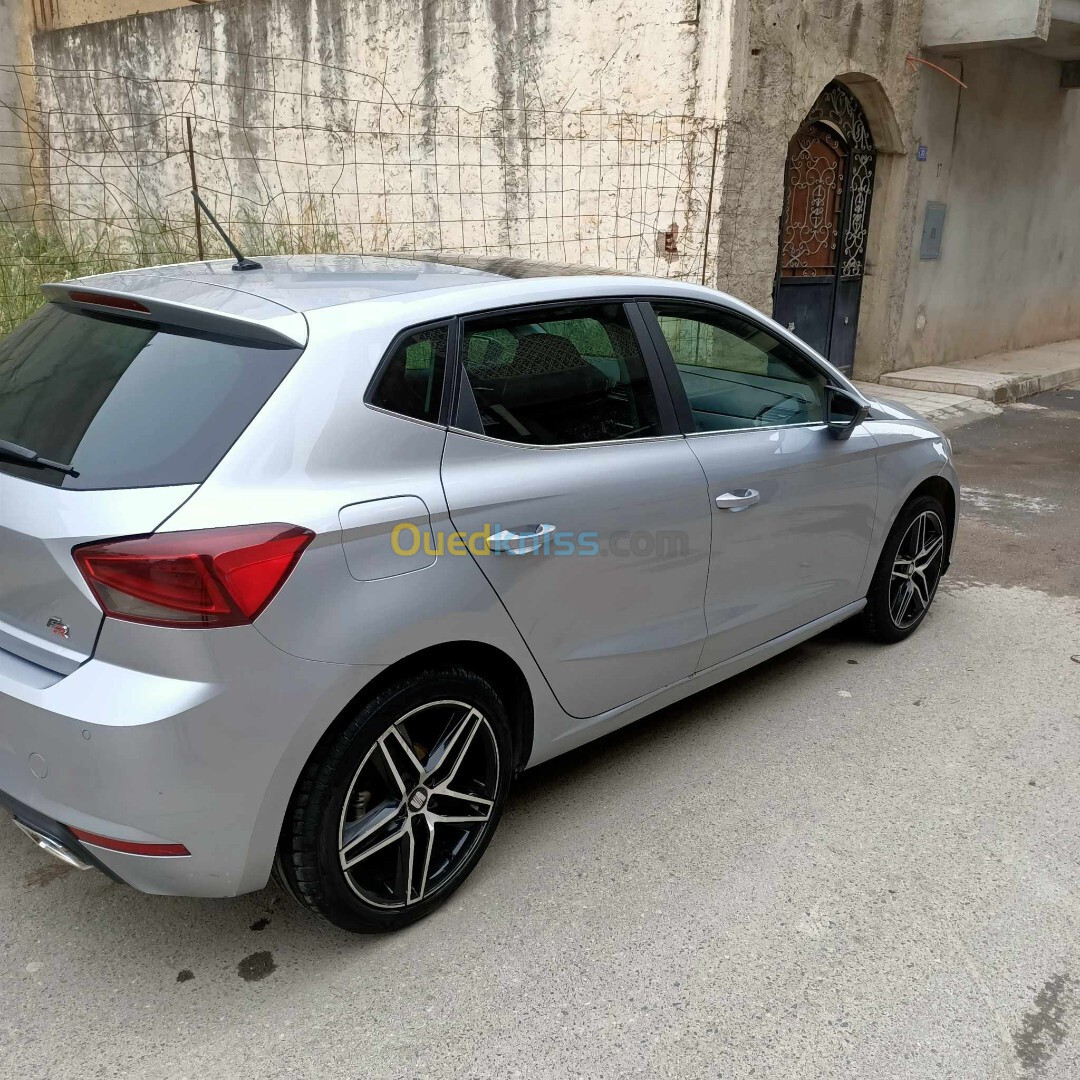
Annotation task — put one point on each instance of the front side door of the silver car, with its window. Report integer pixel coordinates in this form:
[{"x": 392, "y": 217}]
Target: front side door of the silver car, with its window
[{"x": 792, "y": 507}]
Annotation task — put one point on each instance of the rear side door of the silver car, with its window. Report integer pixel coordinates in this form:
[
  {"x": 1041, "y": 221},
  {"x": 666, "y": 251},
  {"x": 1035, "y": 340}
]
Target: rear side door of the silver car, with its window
[{"x": 580, "y": 501}]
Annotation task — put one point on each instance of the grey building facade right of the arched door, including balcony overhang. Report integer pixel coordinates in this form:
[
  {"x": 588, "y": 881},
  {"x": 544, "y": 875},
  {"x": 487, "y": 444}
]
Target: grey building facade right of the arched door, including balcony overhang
[{"x": 1002, "y": 174}]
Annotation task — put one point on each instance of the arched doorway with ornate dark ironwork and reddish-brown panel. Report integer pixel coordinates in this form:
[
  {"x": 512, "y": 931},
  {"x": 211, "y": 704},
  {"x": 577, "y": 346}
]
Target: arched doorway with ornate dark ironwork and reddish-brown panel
[{"x": 828, "y": 185}]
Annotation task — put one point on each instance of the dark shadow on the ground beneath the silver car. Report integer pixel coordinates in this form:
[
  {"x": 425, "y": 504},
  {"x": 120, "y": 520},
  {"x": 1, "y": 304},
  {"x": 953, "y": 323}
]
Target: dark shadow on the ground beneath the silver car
[{"x": 170, "y": 931}]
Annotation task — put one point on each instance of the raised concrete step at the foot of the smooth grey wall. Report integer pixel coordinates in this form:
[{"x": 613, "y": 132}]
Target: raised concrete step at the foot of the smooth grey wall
[{"x": 1000, "y": 377}]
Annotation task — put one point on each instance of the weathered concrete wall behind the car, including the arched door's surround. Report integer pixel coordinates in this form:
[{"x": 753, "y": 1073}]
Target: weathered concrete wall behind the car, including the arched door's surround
[{"x": 494, "y": 97}]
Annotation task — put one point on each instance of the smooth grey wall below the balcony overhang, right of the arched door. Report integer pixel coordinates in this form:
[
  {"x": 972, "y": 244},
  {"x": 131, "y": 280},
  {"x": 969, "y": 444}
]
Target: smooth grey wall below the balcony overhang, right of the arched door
[{"x": 1005, "y": 156}]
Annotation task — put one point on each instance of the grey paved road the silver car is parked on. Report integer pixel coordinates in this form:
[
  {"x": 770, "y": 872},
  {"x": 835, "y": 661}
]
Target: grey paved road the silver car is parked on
[{"x": 855, "y": 861}]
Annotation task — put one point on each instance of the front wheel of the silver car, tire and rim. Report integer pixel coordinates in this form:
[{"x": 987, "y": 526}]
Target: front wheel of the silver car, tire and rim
[{"x": 909, "y": 572}]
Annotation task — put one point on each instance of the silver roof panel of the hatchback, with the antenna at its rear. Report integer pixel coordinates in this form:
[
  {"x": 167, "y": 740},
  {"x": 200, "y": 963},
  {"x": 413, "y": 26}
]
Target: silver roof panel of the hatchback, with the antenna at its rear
[{"x": 307, "y": 282}]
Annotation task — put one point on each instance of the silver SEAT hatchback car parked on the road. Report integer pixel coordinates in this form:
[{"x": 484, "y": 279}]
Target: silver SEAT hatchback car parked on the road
[{"x": 301, "y": 565}]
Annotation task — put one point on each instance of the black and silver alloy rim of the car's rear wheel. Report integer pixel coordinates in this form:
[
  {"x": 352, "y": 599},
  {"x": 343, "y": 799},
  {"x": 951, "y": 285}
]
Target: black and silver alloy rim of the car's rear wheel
[{"x": 418, "y": 804}]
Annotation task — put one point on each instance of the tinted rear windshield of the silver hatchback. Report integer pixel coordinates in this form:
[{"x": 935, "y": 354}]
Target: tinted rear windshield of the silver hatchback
[{"x": 128, "y": 404}]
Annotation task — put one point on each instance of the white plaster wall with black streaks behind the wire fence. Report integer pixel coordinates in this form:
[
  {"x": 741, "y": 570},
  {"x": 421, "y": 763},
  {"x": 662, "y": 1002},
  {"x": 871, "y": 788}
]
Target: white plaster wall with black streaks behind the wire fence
[{"x": 556, "y": 76}]
